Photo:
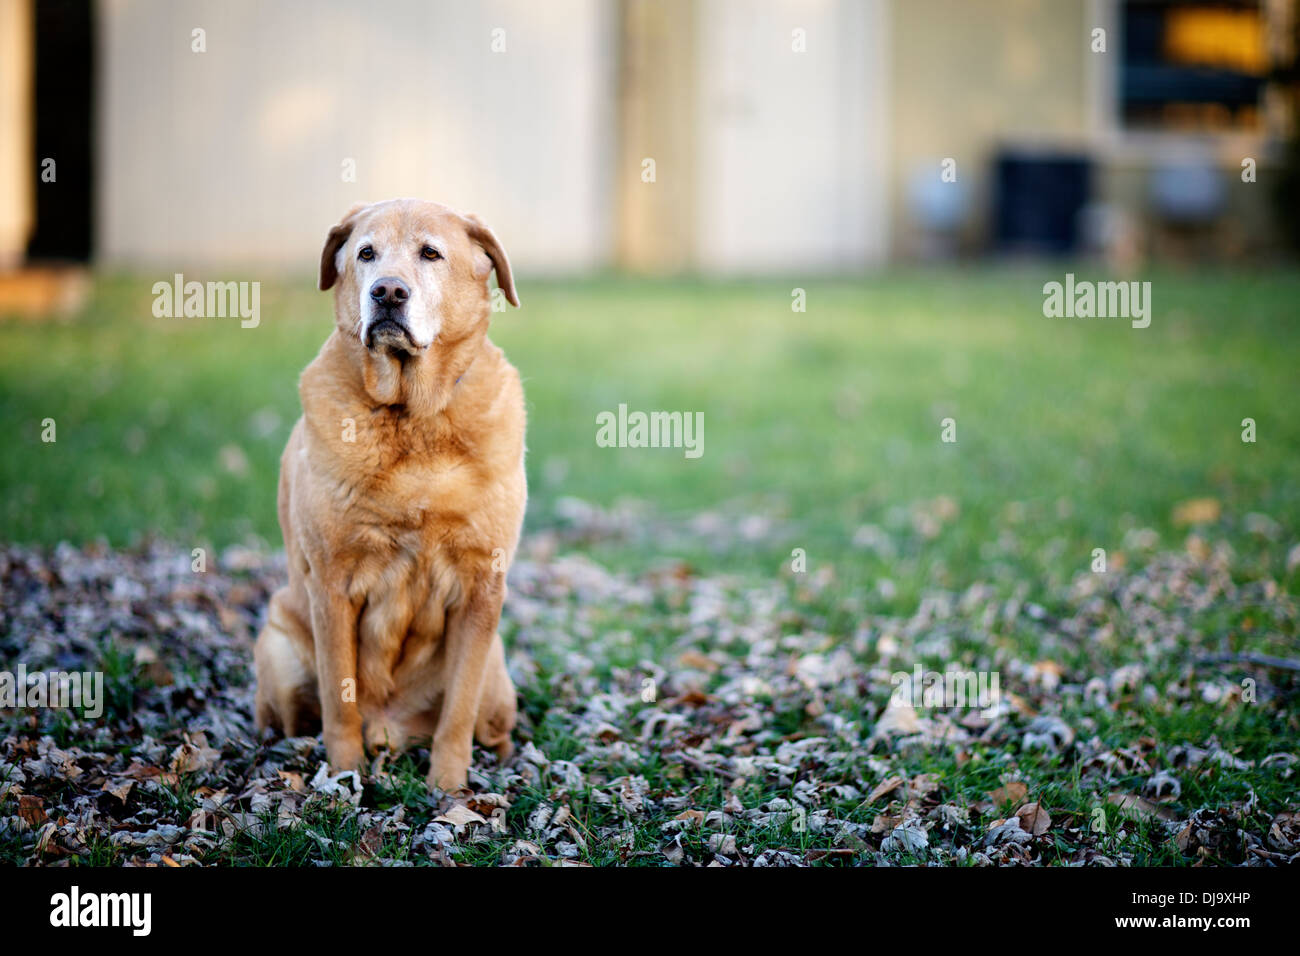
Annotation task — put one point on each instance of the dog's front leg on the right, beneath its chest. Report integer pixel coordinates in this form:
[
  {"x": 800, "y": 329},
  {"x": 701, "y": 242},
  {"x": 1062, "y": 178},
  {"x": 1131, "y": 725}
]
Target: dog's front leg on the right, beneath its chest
[{"x": 470, "y": 633}]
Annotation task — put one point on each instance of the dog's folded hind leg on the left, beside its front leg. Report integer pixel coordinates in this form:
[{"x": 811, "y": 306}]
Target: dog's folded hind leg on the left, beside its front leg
[{"x": 288, "y": 698}]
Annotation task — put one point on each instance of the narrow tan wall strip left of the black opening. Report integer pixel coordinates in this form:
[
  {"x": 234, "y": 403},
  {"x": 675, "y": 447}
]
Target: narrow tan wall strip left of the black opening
[{"x": 18, "y": 171}]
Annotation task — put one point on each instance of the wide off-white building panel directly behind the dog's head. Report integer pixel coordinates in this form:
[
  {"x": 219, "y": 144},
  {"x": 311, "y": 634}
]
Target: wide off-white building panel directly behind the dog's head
[{"x": 235, "y": 158}]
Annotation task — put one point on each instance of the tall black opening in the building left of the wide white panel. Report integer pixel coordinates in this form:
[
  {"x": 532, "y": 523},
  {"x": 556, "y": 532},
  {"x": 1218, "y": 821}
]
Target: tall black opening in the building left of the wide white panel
[{"x": 64, "y": 93}]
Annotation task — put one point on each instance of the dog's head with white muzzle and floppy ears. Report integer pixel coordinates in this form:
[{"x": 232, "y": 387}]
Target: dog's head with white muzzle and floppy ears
[{"x": 410, "y": 274}]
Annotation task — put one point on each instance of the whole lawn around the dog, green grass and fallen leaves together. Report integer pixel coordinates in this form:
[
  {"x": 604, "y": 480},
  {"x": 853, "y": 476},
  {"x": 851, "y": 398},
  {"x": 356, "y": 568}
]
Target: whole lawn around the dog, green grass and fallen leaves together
[{"x": 644, "y": 569}]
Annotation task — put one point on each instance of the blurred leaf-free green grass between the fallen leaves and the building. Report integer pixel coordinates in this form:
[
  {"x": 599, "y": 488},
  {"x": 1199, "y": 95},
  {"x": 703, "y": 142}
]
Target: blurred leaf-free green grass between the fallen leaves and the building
[{"x": 824, "y": 421}]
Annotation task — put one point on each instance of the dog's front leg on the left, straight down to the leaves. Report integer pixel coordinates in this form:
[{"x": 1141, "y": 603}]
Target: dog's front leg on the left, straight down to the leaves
[{"x": 335, "y": 633}]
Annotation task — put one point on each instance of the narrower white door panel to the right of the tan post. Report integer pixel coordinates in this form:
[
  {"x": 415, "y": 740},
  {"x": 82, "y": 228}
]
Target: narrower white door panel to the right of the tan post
[{"x": 794, "y": 136}]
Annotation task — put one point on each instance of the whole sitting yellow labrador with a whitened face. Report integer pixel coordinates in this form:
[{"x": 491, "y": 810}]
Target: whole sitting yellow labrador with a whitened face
[{"x": 401, "y": 500}]
